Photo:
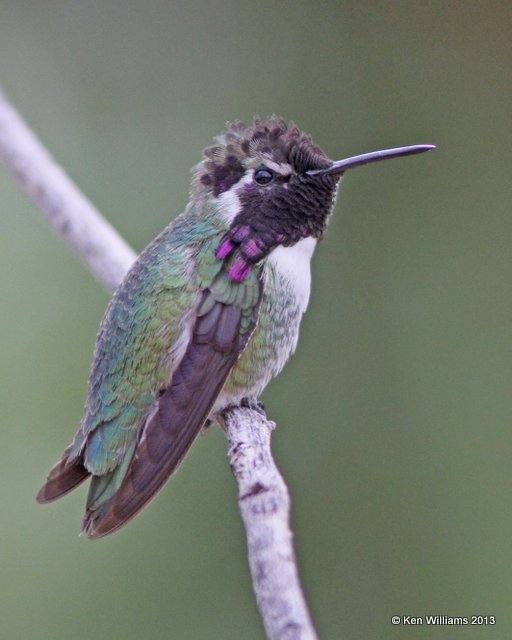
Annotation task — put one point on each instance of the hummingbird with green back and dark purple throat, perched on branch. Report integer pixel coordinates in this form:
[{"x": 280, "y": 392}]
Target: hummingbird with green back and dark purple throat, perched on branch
[{"x": 207, "y": 315}]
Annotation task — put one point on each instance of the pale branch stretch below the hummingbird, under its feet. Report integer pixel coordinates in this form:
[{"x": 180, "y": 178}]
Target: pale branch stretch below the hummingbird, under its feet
[{"x": 264, "y": 503}]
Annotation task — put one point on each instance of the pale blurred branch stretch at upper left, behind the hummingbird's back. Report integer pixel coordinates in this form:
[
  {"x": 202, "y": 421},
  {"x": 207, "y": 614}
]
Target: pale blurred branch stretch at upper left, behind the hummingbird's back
[{"x": 98, "y": 244}]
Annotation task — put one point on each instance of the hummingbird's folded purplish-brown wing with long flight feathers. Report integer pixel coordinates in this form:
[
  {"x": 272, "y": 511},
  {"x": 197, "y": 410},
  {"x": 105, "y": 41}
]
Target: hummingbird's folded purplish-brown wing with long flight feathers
[{"x": 219, "y": 336}]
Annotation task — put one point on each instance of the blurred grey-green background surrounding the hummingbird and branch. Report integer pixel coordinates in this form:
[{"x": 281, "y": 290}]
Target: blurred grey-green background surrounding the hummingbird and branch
[{"x": 394, "y": 416}]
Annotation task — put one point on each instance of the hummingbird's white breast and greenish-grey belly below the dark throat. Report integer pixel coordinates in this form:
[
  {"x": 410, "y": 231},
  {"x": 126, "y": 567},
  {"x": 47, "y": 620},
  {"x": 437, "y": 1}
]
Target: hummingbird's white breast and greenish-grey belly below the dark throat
[{"x": 286, "y": 289}]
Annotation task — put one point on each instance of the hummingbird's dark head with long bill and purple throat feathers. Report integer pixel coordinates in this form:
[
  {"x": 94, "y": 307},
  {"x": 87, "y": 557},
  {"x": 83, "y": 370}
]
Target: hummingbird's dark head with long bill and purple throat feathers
[{"x": 272, "y": 185}]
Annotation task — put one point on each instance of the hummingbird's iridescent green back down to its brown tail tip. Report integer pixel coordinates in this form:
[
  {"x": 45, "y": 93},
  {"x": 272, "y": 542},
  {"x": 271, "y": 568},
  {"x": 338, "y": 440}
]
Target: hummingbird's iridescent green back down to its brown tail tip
[{"x": 137, "y": 348}]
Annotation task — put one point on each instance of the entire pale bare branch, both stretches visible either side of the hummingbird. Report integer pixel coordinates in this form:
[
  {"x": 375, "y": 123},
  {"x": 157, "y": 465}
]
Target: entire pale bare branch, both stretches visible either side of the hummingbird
[{"x": 263, "y": 497}]
